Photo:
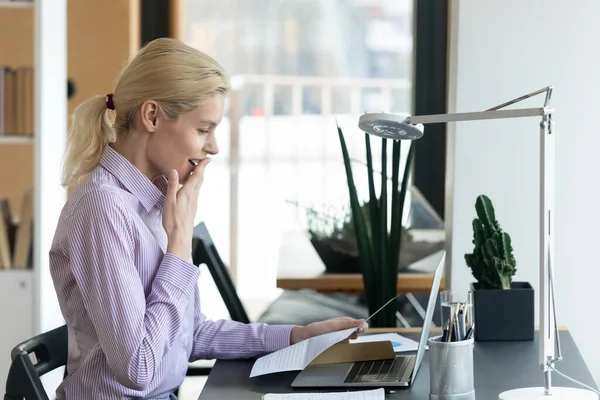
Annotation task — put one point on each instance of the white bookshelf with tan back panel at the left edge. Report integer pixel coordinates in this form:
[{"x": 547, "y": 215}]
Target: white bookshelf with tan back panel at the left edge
[{"x": 29, "y": 293}]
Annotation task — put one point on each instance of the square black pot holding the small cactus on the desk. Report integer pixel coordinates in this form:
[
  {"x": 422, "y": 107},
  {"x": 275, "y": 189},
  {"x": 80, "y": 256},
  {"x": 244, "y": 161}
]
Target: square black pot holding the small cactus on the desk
[{"x": 504, "y": 315}]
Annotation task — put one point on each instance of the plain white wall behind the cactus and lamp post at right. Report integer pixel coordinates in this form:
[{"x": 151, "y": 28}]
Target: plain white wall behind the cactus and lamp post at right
[{"x": 499, "y": 51}]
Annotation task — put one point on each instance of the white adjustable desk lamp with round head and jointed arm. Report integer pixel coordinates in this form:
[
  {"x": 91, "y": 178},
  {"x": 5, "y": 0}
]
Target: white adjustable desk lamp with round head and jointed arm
[{"x": 395, "y": 127}]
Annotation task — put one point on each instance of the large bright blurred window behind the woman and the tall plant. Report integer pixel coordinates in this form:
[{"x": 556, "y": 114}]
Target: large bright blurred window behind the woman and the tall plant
[{"x": 297, "y": 67}]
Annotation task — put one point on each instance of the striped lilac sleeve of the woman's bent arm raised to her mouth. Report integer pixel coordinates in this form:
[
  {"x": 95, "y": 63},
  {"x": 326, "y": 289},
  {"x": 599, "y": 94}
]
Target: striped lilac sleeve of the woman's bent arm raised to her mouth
[{"x": 134, "y": 331}]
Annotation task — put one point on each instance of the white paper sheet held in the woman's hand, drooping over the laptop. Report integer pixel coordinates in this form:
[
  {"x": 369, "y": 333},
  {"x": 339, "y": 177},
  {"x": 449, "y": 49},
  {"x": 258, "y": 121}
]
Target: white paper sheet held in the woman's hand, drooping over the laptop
[{"x": 297, "y": 356}]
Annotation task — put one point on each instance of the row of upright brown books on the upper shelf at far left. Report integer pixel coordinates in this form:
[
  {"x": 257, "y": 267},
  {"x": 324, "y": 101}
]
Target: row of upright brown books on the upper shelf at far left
[{"x": 16, "y": 100}]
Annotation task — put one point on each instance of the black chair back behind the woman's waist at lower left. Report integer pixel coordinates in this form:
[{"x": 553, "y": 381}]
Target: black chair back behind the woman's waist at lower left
[{"x": 50, "y": 351}]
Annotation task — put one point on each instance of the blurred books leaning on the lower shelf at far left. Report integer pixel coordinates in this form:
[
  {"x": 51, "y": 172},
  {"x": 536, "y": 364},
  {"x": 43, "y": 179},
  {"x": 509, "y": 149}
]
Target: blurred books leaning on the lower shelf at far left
[{"x": 16, "y": 237}]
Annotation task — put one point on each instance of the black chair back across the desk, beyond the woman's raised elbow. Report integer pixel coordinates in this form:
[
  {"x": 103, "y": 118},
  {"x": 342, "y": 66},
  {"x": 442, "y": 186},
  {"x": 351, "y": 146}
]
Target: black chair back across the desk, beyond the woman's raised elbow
[{"x": 205, "y": 252}]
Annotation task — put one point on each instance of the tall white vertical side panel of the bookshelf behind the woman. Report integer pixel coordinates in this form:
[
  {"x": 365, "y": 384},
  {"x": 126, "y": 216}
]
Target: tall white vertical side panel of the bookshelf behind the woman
[{"x": 50, "y": 139}]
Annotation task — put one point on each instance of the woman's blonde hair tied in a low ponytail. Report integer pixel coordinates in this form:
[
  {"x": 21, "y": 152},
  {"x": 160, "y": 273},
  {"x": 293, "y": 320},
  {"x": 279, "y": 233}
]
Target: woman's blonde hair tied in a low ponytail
[{"x": 175, "y": 75}]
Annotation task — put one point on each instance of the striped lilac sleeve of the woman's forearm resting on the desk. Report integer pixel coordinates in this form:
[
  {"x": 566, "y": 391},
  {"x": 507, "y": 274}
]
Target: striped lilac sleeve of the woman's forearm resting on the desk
[{"x": 226, "y": 339}]
